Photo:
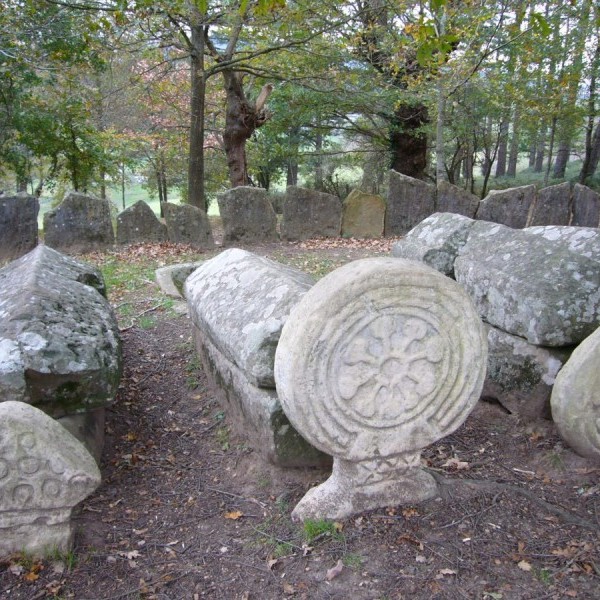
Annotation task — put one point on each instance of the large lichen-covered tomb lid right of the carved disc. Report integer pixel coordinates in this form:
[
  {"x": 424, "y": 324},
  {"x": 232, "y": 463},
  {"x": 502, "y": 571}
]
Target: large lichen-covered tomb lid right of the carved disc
[{"x": 529, "y": 286}]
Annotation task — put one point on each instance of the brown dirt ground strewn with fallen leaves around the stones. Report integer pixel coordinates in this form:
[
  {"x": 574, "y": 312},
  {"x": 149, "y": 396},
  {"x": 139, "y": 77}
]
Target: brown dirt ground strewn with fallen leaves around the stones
[{"x": 188, "y": 510}]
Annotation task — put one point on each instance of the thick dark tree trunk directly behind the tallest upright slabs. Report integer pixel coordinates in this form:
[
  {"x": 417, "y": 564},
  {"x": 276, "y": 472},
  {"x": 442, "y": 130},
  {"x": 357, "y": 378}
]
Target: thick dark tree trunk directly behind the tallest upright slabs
[{"x": 408, "y": 141}]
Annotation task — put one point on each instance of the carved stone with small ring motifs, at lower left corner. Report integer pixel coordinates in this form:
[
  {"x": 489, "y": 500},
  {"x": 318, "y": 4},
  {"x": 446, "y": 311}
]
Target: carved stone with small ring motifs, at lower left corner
[{"x": 44, "y": 473}]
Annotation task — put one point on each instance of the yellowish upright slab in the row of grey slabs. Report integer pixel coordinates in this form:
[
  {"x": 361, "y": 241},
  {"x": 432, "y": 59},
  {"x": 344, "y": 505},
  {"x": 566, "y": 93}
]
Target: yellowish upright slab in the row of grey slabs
[{"x": 363, "y": 215}]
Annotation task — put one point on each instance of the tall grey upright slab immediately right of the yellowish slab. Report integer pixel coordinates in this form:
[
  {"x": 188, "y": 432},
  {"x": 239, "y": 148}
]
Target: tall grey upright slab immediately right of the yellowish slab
[{"x": 409, "y": 202}]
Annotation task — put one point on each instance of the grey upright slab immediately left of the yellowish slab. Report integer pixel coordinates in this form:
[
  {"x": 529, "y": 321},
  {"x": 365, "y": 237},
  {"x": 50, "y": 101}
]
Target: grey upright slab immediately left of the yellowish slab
[{"x": 308, "y": 214}]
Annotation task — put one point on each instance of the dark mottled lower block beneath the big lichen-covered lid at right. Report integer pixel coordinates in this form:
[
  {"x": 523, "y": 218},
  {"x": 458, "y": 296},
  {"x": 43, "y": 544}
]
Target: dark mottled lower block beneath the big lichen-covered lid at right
[{"x": 520, "y": 375}]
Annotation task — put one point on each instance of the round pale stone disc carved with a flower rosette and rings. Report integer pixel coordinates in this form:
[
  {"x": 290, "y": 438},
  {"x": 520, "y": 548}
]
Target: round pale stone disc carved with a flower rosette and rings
[{"x": 380, "y": 357}]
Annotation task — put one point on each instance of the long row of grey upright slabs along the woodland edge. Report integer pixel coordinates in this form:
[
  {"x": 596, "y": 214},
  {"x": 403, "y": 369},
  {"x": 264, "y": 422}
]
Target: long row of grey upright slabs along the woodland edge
[{"x": 82, "y": 223}]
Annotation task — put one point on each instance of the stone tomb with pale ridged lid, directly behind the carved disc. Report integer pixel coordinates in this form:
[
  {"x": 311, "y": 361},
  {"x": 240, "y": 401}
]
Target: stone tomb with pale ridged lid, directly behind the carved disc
[{"x": 238, "y": 302}]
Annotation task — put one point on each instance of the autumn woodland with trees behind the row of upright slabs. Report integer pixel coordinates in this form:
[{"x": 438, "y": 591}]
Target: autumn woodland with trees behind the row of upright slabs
[{"x": 181, "y": 99}]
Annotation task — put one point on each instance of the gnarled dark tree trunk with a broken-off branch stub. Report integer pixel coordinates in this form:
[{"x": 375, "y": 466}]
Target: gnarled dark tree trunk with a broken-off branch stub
[{"x": 242, "y": 118}]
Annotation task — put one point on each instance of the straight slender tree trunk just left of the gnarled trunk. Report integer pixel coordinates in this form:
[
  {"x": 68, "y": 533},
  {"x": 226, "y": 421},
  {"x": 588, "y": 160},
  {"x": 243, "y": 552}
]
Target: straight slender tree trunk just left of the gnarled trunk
[{"x": 197, "y": 101}]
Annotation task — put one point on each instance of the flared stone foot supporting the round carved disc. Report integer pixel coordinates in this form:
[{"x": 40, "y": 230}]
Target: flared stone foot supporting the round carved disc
[{"x": 358, "y": 486}]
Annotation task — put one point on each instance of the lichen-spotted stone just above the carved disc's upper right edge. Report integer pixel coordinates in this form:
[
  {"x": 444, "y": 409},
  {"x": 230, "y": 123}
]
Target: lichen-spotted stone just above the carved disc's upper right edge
[{"x": 435, "y": 241}]
